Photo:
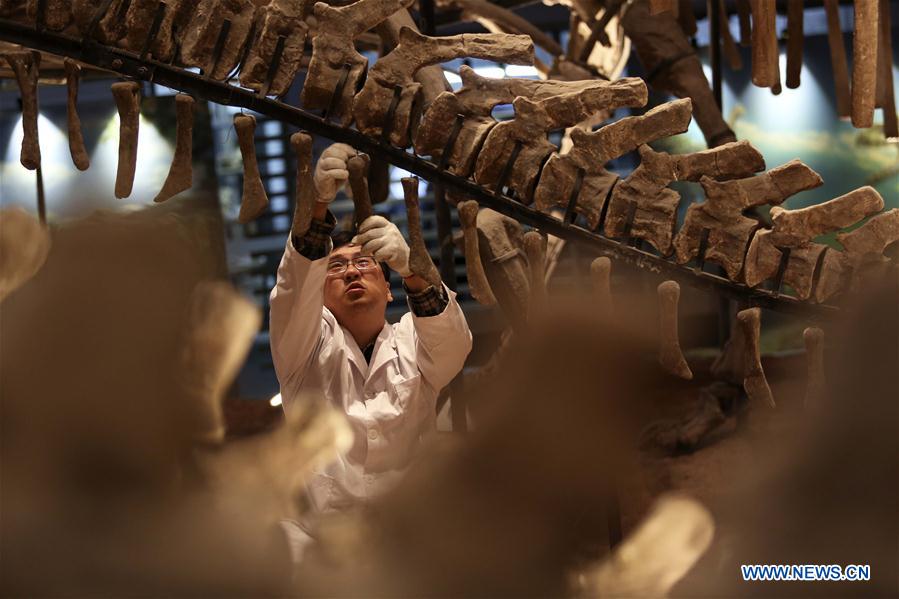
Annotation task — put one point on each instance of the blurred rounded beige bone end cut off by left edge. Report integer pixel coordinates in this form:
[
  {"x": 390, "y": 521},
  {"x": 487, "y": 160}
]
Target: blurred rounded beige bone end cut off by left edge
[{"x": 24, "y": 246}]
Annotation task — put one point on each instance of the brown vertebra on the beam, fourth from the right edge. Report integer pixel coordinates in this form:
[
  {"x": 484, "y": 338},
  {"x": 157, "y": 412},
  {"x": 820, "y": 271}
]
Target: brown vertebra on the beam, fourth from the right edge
[{"x": 641, "y": 206}]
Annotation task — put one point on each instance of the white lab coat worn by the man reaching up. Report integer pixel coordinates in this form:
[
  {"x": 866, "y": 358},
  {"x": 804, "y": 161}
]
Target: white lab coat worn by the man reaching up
[{"x": 390, "y": 403}]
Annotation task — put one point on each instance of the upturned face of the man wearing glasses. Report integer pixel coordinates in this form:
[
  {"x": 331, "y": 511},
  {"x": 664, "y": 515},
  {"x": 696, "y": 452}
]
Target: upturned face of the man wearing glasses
[{"x": 354, "y": 290}]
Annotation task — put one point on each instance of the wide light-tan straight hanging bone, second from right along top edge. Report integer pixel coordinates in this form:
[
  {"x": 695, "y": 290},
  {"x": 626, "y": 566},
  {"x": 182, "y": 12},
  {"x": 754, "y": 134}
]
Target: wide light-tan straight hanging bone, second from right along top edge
[{"x": 864, "y": 62}]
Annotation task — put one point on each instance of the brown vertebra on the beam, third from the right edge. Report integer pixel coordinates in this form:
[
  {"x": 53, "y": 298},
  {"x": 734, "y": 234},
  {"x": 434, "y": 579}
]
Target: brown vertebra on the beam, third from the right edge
[{"x": 721, "y": 215}]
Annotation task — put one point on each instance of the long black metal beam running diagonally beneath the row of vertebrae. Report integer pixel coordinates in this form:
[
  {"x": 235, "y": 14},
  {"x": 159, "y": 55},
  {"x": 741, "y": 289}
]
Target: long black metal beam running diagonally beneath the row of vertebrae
[{"x": 128, "y": 64}]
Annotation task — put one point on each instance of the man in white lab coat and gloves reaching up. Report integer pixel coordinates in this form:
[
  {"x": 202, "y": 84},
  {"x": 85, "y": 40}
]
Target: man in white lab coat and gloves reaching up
[{"x": 330, "y": 339}]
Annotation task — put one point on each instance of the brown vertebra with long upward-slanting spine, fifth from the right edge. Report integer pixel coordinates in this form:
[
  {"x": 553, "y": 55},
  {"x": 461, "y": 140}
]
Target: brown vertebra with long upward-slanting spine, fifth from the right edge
[{"x": 591, "y": 151}]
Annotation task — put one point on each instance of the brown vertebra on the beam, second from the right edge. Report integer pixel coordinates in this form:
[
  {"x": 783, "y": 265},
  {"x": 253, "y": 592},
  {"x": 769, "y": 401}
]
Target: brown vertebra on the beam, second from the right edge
[{"x": 794, "y": 232}]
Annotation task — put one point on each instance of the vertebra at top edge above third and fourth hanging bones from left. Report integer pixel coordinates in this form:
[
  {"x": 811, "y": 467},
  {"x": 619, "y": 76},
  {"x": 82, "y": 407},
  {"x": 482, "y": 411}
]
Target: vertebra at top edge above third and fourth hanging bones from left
[{"x": 139, "y": 21}]
